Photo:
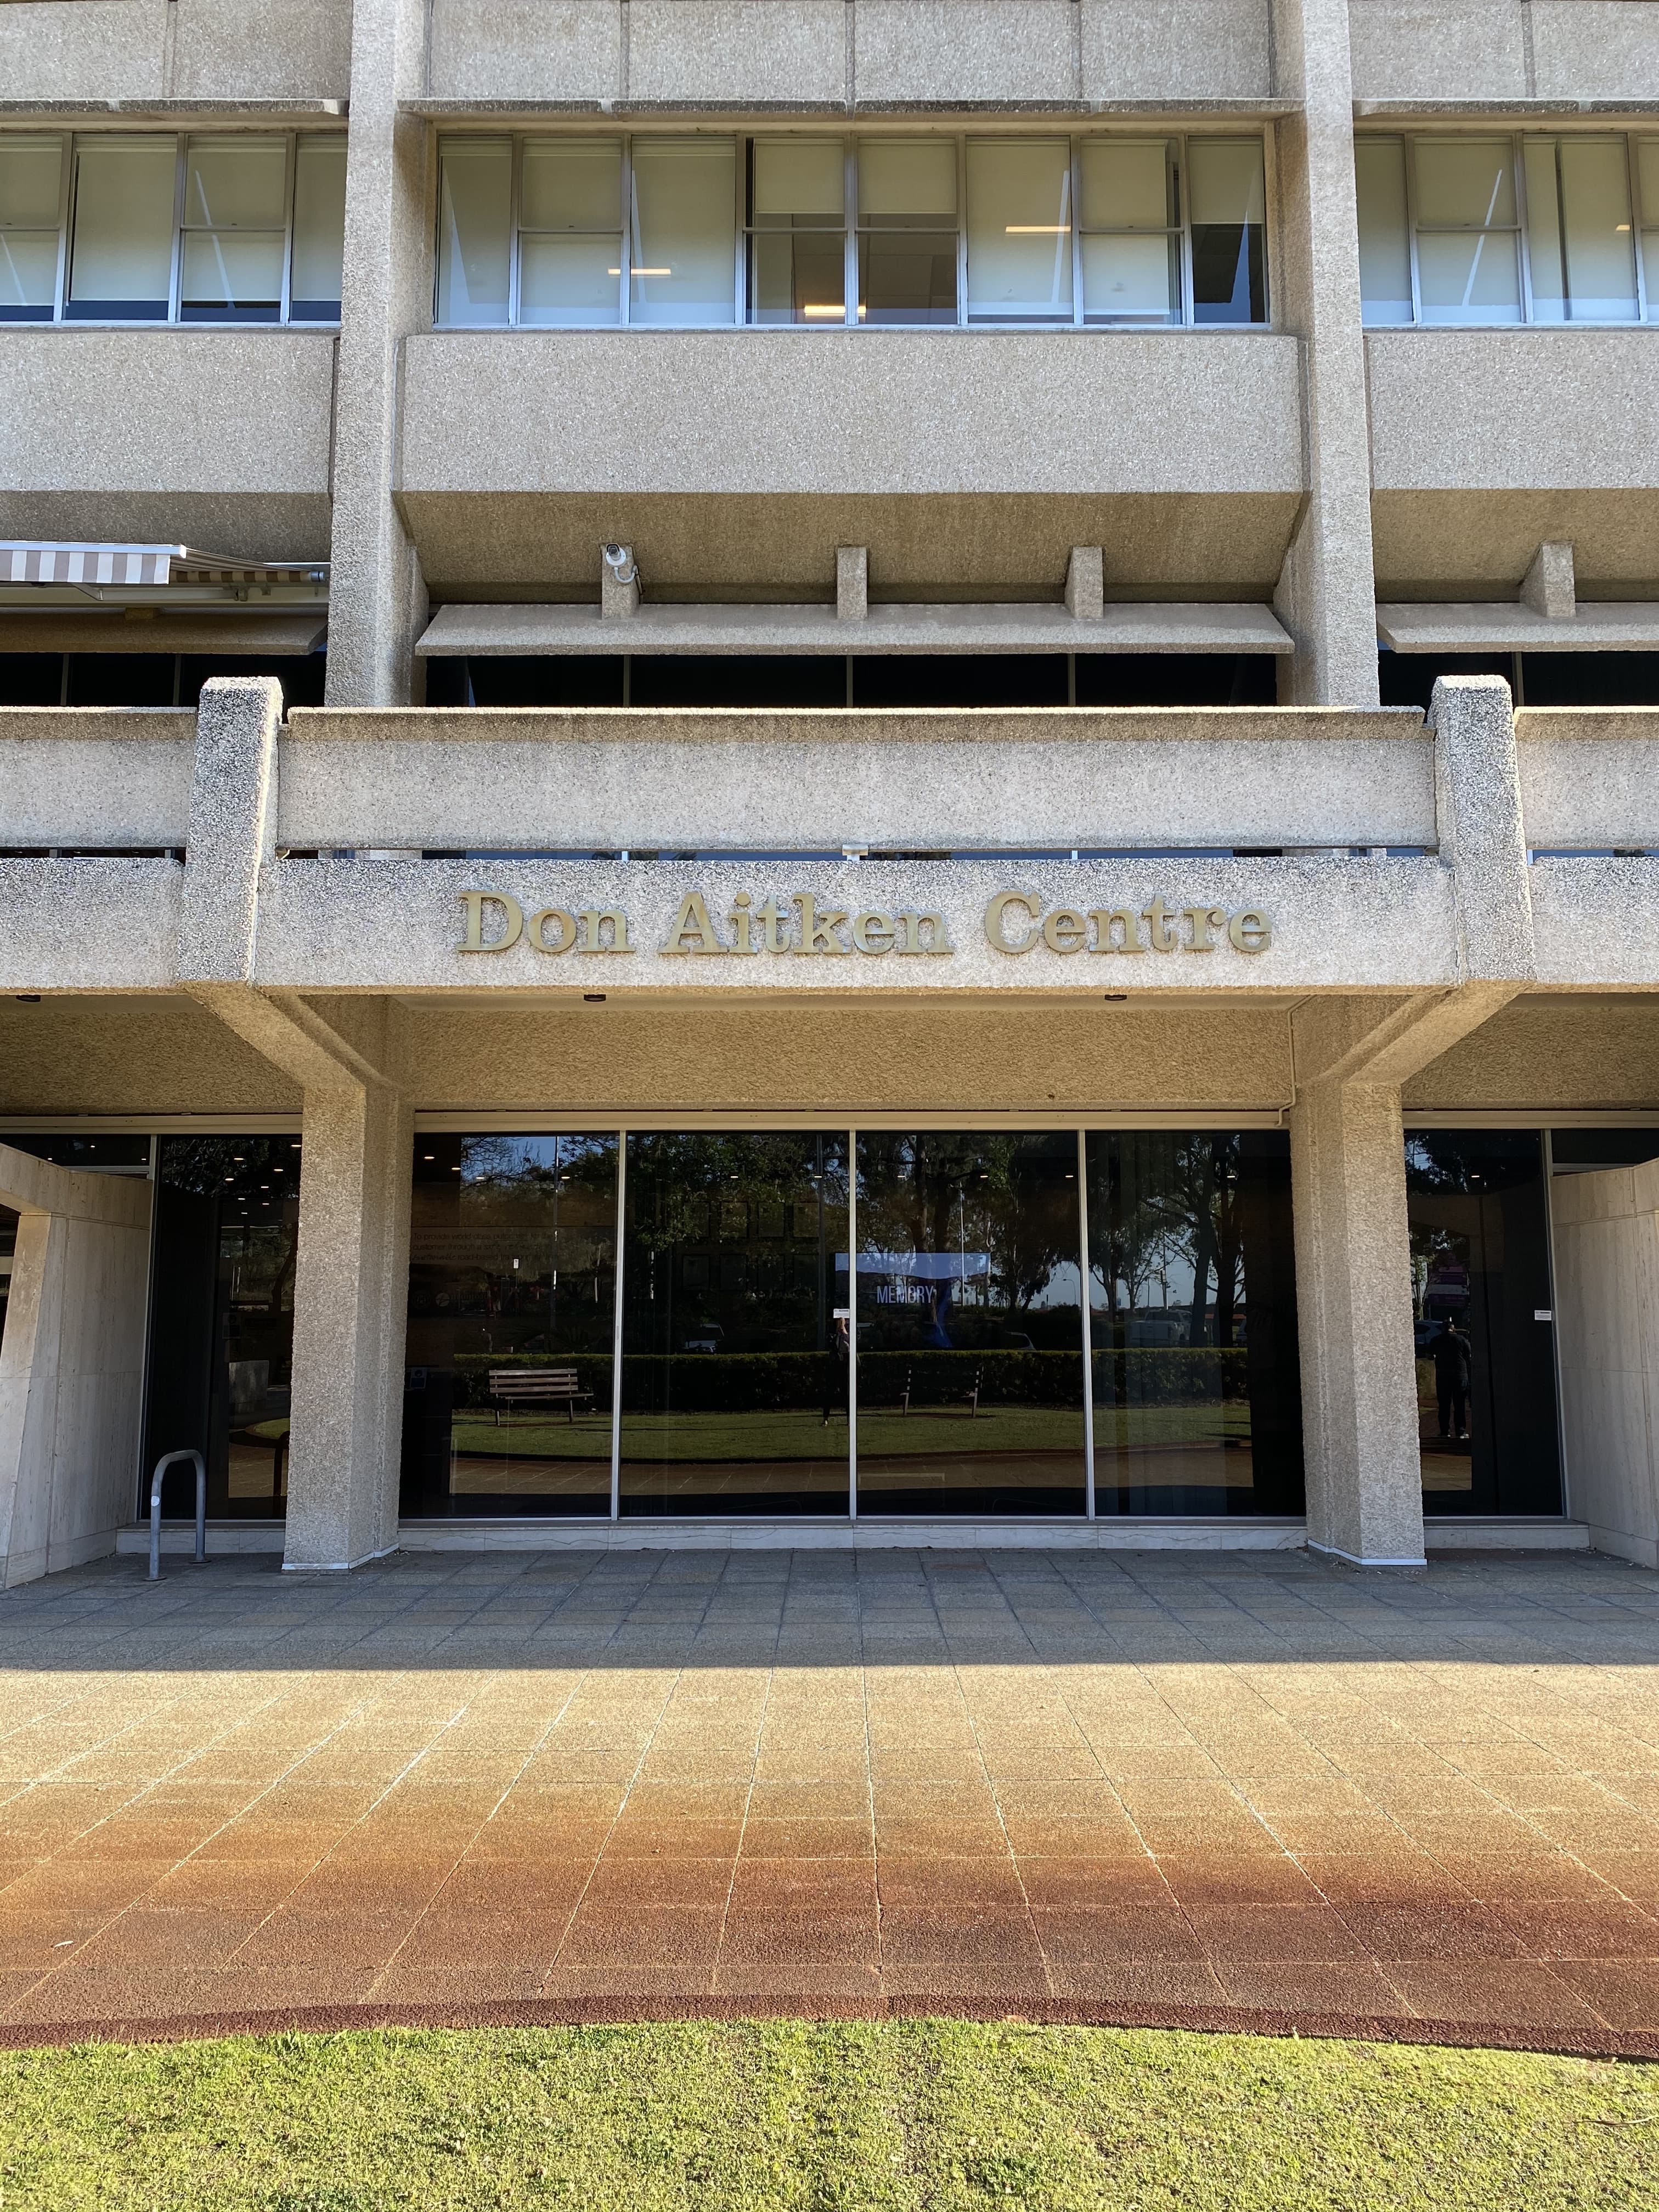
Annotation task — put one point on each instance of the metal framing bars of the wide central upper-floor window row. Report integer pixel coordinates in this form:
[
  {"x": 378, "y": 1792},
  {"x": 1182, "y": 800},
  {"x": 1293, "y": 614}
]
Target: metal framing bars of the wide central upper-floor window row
[{"x": 749, "y": 231}]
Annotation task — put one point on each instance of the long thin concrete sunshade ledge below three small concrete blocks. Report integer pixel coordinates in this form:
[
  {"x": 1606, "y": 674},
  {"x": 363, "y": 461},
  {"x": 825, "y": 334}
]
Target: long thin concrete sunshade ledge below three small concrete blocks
[{"x": 888, "y": 629}]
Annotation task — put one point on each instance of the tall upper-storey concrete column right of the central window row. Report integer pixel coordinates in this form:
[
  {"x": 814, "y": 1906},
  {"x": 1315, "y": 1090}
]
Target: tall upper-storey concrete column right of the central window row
[{"x": 1326, "y": 592}]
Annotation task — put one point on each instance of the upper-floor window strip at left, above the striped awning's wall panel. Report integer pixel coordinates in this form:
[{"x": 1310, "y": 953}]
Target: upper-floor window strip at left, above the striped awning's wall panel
[{"x": 147, "y": 229}]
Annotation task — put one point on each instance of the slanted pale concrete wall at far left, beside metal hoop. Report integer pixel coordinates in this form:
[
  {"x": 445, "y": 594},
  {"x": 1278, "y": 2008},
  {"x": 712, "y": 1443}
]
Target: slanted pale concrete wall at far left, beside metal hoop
[{"x": 72, "y": 1364}]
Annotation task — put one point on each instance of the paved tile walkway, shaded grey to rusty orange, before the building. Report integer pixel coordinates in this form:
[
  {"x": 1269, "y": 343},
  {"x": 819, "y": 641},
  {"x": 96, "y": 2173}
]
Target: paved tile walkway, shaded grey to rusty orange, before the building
[{"x": 1204, "y": 1791}]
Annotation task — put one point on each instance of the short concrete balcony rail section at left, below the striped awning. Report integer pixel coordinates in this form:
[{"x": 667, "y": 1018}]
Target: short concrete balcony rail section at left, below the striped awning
[{"x": 96, "y": 775}]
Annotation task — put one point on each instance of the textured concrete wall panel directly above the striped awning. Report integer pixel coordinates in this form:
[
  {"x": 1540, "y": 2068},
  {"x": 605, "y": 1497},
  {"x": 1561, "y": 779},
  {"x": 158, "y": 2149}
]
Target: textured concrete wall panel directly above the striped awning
[{"x": 180, "y": 437}]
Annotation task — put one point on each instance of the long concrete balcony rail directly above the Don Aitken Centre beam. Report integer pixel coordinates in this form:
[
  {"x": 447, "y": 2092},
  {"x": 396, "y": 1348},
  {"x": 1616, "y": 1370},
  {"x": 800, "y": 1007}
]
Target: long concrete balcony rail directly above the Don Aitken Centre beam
[{"x": 937, "y": 780}]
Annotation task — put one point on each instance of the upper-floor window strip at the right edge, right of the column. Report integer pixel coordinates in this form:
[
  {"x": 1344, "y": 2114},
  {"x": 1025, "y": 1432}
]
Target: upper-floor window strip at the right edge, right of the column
[{"x": 1512, "y": 229}]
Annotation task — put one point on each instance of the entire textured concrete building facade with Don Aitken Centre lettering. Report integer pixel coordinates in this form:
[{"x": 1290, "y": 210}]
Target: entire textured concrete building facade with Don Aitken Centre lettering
[{"x": 831, "y": 771}]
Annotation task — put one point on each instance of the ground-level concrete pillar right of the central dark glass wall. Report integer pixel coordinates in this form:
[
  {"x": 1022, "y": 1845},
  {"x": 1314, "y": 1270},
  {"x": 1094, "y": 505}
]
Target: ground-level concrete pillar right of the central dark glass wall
[{"x": 1355, "y": 1322}]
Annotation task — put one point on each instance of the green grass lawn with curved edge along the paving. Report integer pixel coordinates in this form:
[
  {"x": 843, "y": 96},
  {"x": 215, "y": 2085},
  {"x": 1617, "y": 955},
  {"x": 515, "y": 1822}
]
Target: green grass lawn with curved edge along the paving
[{"x": 844, "y": 2118}]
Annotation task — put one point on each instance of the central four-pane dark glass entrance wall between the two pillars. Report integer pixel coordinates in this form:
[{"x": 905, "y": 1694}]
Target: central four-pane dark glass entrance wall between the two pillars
[{"x": 727, "y": 1361}]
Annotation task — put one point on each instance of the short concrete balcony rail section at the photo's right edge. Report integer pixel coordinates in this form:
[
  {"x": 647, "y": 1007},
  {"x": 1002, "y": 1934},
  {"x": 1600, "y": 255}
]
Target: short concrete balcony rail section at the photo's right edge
[{"x": 1589, "y": 778}]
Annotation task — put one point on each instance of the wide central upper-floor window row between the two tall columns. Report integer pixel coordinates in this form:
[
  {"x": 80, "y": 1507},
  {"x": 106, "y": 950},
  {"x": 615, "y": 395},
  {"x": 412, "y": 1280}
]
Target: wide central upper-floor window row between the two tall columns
[{"x": 877, "y": 231}]
